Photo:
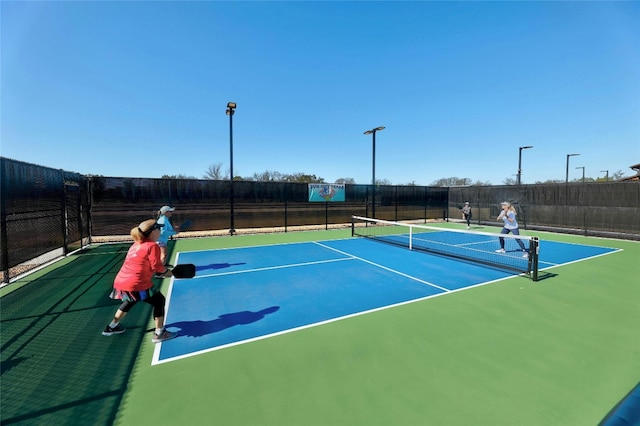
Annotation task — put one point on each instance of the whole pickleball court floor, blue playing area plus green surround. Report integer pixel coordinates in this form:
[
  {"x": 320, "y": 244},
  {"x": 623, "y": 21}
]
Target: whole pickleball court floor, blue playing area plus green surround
[{"x": 321, "y": 328}]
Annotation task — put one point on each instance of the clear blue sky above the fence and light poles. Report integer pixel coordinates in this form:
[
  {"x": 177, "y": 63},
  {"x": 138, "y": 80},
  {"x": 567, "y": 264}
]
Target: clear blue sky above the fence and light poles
[{"x": 140, "y": 88}]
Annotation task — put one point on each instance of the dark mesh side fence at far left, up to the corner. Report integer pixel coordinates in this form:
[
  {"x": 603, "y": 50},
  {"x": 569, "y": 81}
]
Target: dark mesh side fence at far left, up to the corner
[{"x": 44, "y": 215}]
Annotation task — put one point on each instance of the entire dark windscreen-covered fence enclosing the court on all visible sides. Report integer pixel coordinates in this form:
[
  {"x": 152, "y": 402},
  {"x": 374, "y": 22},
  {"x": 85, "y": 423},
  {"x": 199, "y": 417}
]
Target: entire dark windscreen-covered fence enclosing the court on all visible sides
[{"x": 47, "y": 213}]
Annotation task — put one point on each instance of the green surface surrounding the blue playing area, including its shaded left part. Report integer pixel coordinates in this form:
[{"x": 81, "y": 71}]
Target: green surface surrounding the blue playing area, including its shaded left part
[{"x": 560, "y": 351}]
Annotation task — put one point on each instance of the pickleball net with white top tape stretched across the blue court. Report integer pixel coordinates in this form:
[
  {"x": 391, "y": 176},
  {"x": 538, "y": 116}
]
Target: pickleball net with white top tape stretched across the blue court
[{"x": 520, "y": 252}]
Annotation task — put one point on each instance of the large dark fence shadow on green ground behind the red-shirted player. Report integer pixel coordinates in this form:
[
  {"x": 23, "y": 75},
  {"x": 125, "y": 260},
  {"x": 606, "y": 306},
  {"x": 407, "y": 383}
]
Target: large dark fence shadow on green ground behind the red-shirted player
[{"x": 57, "y": 368}]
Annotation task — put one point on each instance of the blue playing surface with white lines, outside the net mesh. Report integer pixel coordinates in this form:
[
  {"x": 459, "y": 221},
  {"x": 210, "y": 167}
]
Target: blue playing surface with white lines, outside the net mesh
[{"x": 243, "y": 294}]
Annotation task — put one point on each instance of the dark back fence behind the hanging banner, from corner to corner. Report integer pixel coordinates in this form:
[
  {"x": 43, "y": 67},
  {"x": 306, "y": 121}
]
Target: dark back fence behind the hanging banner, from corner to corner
[{"x": 119, "y": 203}]
